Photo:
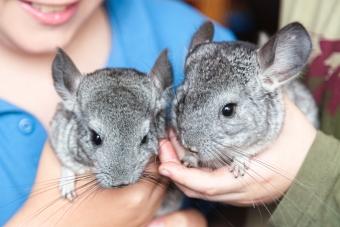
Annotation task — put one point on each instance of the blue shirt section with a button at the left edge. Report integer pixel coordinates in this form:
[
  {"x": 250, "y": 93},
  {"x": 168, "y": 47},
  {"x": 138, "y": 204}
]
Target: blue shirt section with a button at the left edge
[{"x": 22, "y": 138}]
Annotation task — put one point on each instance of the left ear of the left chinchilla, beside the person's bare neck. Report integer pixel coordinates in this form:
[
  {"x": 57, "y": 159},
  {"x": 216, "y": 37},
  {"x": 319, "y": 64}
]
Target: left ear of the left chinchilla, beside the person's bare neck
[{"x": 66, "y": 77}]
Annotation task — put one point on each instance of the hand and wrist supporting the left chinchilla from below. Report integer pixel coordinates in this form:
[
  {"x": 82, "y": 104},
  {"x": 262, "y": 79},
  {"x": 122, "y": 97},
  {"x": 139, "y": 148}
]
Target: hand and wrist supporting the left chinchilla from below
[{"x": 131, "y": 206}]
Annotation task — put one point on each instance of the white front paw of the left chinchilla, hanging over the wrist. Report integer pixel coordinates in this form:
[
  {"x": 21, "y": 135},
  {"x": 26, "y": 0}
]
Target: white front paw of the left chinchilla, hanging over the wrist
[{"x": 67, "y": 184}]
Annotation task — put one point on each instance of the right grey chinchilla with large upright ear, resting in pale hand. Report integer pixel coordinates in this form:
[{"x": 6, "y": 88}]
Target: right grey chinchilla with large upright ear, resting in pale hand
[{"x": 230, "y": 105}]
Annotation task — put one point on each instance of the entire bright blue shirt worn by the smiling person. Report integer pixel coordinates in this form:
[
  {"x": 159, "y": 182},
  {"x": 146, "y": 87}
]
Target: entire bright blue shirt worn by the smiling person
[{"x": 141, "y": 29}]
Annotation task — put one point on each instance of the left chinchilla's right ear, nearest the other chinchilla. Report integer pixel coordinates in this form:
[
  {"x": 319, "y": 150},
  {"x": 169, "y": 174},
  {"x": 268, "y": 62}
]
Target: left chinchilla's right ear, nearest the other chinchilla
[{"x": 161, "y": 73}]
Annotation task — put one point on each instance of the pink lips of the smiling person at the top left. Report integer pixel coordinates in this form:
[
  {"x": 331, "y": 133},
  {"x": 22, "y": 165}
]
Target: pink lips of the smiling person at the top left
[{"x": 51, "y": 18}]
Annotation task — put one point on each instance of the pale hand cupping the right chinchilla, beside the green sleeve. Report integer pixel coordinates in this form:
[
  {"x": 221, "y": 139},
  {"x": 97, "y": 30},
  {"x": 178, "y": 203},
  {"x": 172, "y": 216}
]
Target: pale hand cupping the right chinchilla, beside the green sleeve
[{"x": 269, "y": 175}]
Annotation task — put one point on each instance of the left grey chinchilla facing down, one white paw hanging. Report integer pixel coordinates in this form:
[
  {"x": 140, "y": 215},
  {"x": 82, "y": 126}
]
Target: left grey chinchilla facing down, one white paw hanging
[{"x": 109, "y": 121}]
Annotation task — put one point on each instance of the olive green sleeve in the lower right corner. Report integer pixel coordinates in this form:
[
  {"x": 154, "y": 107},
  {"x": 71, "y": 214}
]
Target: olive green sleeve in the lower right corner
[{"x": 314, "y": 198}]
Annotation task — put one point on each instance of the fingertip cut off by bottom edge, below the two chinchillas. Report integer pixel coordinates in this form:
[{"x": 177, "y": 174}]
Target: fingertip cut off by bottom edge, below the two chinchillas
[{"x": 186, "y": 218}]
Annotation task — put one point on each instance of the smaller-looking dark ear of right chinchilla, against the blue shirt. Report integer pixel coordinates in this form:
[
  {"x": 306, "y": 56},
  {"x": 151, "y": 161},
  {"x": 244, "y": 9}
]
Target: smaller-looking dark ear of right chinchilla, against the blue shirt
[{"x": 205, "y": 33}]
